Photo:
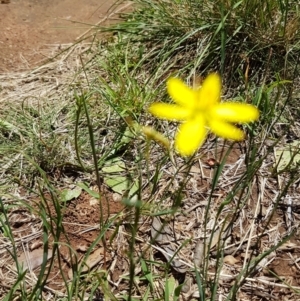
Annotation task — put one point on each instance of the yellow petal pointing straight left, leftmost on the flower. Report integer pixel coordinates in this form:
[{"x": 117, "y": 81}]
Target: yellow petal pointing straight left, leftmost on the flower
[{"x": 168, "y": 111}]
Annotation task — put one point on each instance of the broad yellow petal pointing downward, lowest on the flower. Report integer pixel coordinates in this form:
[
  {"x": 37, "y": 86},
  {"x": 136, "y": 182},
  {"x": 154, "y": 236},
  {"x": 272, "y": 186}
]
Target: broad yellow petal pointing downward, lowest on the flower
[{"x": 190, "y": 136}]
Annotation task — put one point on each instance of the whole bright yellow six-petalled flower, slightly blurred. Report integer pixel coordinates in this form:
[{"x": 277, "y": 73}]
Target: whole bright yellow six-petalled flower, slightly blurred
[{"x": 199, "y": 110}]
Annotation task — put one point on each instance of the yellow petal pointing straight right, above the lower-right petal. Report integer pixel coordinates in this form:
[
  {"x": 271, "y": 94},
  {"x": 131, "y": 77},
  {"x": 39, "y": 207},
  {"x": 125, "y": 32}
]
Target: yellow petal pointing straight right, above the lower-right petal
[{"x": 235, "y": 112}]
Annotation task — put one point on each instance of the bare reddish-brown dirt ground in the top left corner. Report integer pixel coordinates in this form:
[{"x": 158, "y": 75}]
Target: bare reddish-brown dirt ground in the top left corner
[{"x": 30, "y": 28}]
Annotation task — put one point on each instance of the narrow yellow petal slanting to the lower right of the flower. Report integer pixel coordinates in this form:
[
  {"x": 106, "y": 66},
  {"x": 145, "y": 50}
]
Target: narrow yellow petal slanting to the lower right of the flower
[{"x": 226, "y": 130}]
